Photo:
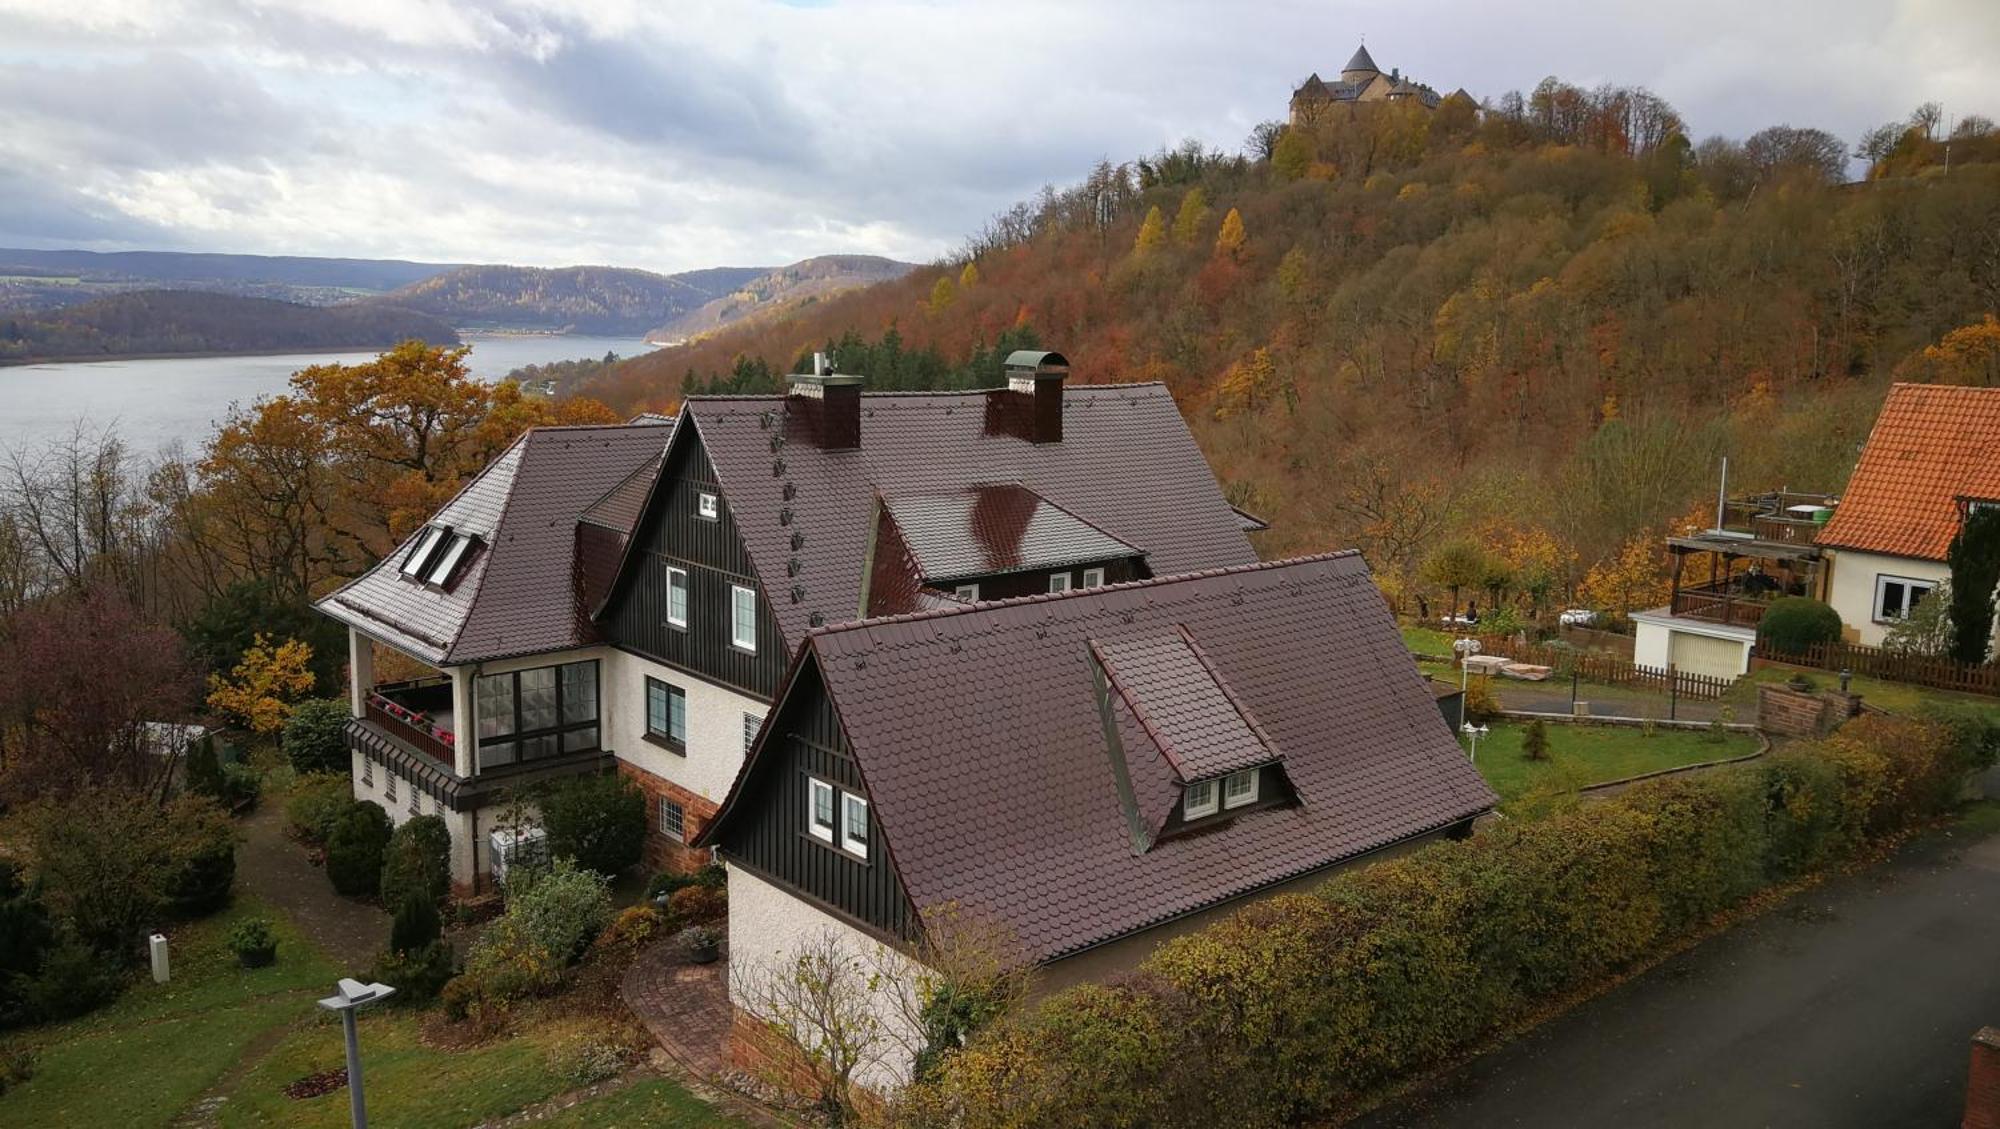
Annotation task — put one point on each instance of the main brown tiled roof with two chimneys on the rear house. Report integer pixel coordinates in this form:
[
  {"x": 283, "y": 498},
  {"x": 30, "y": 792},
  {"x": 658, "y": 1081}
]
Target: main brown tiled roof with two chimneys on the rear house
[{"x": 1127, "y": 465}]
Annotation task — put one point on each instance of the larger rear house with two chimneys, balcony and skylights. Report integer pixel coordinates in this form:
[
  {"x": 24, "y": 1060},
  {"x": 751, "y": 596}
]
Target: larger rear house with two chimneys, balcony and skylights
[{"x": 627, "y": 598}]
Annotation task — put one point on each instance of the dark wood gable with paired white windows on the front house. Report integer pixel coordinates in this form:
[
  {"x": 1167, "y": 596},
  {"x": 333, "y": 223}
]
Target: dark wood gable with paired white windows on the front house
[{"x": 769, "y": 830}]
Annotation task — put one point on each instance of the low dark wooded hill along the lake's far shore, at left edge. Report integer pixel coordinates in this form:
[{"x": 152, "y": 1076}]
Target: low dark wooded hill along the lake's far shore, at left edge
[{"x": 191, "y": 321}]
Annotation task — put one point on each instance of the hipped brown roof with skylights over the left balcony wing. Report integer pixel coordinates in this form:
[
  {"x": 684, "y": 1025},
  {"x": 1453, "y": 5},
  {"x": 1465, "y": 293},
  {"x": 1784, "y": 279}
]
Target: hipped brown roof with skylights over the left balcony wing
[{"x": 523, "y": 592}]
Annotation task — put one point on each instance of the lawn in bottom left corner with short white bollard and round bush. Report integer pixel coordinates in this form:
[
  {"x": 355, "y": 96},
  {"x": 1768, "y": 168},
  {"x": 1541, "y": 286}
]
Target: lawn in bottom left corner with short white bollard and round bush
[{"x": 159, "y": 1048}]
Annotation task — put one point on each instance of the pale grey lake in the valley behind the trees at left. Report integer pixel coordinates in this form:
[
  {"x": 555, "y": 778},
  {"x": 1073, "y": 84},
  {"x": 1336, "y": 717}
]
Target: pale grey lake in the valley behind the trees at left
[{"x": 153, "y": 403}]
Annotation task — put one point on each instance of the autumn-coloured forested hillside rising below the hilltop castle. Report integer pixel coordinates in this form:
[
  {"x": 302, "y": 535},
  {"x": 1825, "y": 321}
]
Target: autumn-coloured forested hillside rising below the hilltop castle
[{"x": 1543, "y": 323}]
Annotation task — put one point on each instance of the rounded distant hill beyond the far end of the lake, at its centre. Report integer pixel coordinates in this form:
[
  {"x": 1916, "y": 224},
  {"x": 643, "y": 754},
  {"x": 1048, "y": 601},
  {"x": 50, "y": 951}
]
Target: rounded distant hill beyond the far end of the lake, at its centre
[{"x": 569, "y": 299}]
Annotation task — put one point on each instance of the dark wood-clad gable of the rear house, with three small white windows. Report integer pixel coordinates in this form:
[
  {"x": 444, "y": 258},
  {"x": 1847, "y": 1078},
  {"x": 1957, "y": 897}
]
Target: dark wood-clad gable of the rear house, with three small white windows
[{"x": 713, "y": 553}]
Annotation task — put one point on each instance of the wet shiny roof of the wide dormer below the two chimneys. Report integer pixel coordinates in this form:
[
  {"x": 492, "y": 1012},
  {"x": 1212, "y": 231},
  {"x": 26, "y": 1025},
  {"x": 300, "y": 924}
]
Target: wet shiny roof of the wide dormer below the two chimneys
[{"x": 995, "y": 529}]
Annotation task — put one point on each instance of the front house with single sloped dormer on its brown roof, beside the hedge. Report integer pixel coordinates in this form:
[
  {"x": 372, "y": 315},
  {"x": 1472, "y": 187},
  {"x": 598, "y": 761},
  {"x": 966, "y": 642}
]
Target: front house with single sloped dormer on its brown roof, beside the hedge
[{"x": 1089, "y": 774}]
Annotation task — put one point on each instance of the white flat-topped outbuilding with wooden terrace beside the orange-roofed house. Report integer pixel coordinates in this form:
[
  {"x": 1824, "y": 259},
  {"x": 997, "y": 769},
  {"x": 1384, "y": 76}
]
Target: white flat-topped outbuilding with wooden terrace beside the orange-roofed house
[{"x": 1725, "y": 578}]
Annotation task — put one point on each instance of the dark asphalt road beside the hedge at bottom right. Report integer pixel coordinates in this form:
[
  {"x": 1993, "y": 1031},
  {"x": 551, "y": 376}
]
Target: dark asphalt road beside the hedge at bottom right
[{"x": 1851, "y": 1006}]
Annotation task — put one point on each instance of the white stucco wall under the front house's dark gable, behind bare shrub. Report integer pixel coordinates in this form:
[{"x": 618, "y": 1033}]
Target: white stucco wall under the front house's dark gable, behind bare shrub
[{"x": 769, "y": 926}]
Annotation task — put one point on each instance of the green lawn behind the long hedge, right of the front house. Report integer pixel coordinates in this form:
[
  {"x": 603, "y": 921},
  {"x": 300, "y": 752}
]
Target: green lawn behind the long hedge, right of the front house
[{"x": 1585, "y": 756}]
